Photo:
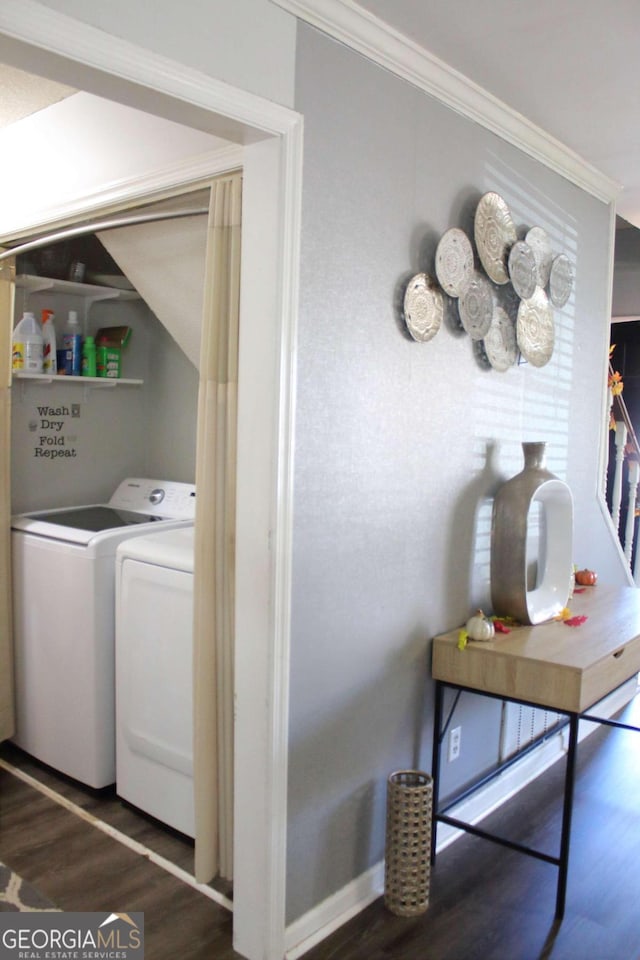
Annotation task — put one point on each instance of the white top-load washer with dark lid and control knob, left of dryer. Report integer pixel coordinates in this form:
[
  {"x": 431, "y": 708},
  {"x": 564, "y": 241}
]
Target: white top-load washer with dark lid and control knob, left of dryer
[{"x": 64, "y": 621}]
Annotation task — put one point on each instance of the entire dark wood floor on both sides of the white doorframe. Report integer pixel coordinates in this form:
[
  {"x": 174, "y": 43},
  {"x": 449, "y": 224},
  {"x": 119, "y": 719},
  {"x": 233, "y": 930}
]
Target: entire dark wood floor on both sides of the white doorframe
[{"x": 487, "y": 903}]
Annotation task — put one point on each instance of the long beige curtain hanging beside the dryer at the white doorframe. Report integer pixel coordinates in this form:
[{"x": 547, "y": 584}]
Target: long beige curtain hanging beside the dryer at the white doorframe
[{"x": 215, "y": 537}]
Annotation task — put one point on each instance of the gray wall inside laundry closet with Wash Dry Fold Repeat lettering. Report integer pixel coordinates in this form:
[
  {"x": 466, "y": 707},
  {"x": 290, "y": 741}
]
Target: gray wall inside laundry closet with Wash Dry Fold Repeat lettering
[{"x": 119, "y": 431}]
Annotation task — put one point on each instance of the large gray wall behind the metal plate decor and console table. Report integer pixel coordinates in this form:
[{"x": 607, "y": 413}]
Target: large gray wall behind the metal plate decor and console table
[{"x": 400, "y": 445}]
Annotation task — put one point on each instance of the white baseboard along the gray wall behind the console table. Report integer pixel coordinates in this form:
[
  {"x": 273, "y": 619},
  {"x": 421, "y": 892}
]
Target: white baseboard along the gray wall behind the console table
[{"x": 318, "y": 923}]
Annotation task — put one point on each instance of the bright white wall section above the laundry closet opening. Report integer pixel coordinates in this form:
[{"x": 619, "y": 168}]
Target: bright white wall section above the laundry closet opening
[{"x": 94, "y": 149}]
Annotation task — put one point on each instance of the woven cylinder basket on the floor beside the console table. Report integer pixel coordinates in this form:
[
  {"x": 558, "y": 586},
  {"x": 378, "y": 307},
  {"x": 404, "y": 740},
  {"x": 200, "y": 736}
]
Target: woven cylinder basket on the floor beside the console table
[{"x": 407, "y": 871}]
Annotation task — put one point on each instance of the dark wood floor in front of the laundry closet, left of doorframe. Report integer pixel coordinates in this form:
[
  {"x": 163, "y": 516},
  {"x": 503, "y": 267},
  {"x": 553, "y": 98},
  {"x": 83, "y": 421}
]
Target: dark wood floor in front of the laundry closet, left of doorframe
[{"x": 77, "y": 867}]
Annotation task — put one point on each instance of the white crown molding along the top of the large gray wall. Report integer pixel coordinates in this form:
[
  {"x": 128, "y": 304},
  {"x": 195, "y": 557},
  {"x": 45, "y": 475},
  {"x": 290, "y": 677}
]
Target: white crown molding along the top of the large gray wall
[{"x": 347, "y": 22}]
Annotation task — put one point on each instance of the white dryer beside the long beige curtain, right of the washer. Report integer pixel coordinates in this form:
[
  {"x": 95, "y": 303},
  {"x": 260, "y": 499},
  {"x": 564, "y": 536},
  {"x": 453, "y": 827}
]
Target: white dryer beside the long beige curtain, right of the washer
[{"x": 154, "y": 701}]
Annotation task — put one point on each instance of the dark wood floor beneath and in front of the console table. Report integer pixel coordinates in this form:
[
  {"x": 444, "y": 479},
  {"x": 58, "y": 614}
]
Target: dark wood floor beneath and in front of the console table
[{"x": 489, "y": 903}]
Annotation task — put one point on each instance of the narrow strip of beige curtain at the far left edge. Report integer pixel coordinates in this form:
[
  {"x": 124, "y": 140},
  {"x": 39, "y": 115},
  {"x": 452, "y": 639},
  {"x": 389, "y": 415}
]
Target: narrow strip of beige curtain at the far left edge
[{"x": 7, "y": 271}]
